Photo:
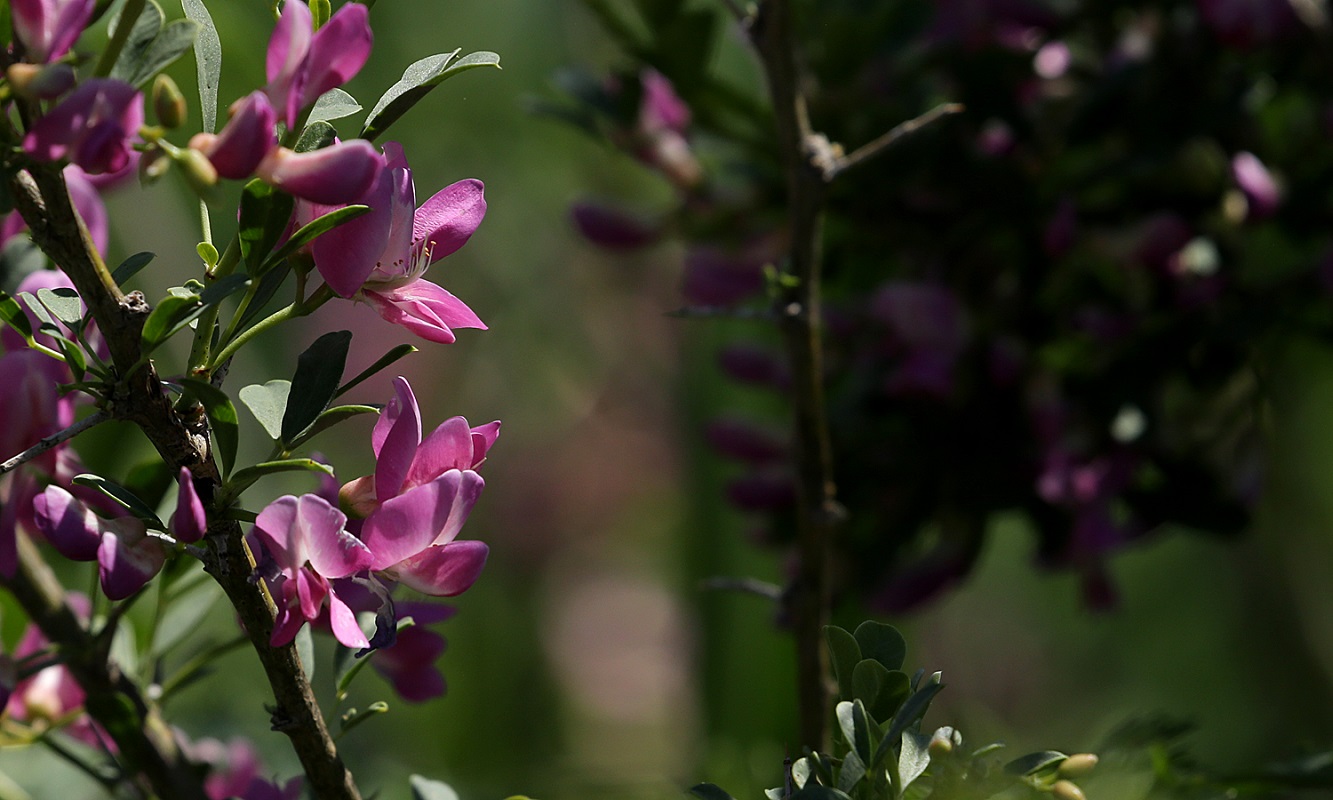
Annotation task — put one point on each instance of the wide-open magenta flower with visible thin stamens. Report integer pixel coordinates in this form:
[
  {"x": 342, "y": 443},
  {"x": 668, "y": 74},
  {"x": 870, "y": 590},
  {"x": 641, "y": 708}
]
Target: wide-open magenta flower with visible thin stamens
[{"x": 383, "y": 255}]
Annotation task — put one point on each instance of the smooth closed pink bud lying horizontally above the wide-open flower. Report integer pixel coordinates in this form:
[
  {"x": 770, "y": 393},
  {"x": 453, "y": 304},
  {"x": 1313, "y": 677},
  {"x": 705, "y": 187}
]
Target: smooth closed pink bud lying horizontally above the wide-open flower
[{"x": 334, "y": 175}]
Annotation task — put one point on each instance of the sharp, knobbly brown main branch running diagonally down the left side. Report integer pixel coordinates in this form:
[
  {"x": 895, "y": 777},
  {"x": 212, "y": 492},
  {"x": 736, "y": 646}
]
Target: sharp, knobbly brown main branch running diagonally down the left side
[{"x": 42, "y": 198}]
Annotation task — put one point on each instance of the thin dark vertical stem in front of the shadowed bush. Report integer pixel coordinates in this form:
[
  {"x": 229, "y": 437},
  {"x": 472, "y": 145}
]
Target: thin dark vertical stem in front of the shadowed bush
[{"x": 800, "y": 314}]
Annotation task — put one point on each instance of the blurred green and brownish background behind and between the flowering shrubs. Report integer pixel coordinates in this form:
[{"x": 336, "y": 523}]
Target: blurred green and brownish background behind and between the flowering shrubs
[{"x": 590, "y": 662}]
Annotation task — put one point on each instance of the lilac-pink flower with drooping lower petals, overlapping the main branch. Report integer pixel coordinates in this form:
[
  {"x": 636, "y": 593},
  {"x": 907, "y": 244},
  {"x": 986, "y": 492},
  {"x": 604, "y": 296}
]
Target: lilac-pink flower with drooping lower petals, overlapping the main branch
[{"x": 309, "y": 545}]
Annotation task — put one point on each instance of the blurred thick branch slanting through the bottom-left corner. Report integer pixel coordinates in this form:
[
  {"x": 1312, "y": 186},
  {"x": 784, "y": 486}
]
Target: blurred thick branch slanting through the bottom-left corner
[{"x": 145, "y": 742}]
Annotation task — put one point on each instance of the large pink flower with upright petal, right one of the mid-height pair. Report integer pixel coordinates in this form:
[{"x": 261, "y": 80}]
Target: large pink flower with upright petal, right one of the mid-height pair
[{"x": 421, "y": 497}]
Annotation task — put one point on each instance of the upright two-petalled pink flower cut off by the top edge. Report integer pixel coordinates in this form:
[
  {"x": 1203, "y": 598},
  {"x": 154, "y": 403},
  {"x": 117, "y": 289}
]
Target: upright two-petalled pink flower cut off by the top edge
[{"x": 303, "y": 65}]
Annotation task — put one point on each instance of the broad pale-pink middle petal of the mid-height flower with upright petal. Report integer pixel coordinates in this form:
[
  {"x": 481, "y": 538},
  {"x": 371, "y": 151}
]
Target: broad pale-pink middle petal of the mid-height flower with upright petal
[{"x": 426, "y": 515}]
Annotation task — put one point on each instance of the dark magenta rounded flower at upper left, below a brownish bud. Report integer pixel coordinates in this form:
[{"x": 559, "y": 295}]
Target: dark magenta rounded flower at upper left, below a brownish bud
[{"x": 93, "y": 127}]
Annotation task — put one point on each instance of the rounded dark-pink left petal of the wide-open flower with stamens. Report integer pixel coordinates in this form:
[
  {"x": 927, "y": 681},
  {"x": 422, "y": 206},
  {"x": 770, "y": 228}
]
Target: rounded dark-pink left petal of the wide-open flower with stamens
[{"x": 347, "y": 255}]
